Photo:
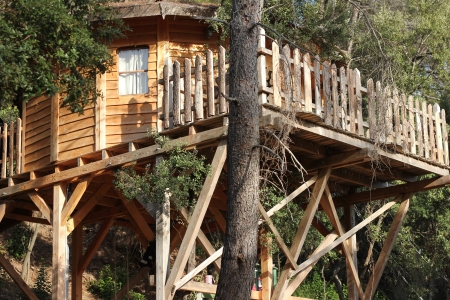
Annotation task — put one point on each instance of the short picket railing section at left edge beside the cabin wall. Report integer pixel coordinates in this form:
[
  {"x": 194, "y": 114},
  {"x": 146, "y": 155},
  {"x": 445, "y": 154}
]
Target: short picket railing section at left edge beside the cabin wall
[{"x": 11, "y": 146}]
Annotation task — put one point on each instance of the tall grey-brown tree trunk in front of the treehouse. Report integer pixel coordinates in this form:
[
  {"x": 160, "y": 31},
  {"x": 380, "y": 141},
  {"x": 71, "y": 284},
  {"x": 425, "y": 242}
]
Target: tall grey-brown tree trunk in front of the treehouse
[{"x": 240, "y": 248}]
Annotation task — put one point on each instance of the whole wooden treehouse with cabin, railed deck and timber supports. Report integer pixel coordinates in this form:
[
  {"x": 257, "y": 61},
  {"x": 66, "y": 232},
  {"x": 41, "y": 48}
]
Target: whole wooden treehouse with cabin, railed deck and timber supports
[{"x": 170, "y": 76}]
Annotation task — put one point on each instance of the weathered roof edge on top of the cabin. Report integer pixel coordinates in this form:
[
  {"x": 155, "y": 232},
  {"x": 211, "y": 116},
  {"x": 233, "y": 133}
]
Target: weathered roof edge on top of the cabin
[{"x": 134, "y": 9}]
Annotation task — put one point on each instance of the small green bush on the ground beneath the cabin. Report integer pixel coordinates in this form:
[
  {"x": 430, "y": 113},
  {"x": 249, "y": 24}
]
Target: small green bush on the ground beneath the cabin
[{"x": 110, "y": 282}]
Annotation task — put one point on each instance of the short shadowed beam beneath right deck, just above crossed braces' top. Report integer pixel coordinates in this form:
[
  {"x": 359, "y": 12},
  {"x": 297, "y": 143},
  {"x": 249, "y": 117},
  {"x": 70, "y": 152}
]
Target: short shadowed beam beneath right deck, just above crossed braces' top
[{"x": 339, "y": 160}]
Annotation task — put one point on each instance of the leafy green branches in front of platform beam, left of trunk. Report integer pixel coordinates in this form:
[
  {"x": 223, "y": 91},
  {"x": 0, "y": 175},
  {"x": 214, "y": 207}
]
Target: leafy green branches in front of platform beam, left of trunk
[{"x": 180, "y": 174}]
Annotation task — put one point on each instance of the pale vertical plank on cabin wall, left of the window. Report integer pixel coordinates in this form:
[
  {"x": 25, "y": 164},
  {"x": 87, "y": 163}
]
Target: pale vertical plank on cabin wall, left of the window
[{"x": 100, "y": 114}]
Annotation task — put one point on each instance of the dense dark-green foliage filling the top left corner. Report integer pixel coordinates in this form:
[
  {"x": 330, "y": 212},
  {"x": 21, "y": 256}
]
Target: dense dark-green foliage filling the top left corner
[{"x": 55, "y": 46}]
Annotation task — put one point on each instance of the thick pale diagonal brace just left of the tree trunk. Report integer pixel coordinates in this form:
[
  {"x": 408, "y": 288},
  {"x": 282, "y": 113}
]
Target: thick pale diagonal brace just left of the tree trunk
[{"x": 197, "y": 216}]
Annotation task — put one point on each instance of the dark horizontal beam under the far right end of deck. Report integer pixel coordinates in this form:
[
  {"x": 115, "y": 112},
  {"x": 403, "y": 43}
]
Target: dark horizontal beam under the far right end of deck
[{"x": 392, "y": 191}]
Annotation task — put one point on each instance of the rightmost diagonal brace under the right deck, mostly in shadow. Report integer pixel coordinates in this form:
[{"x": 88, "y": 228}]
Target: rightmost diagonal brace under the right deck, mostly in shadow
[{"x": 372, "y": 285}]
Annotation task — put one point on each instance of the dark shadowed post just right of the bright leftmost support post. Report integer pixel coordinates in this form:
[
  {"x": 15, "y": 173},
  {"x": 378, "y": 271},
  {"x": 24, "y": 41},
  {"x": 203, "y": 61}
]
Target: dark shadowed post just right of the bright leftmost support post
[{"x": 77, "y": 252}]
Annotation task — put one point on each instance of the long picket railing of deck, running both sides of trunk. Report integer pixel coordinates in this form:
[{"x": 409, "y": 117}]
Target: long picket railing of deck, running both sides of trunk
[{"x": 316, "y": 91}]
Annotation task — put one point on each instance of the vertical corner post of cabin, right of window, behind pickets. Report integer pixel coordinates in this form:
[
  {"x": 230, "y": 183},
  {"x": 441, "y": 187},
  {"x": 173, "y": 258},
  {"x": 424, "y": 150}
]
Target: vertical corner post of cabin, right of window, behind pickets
[{"x": 161, "y": 53}]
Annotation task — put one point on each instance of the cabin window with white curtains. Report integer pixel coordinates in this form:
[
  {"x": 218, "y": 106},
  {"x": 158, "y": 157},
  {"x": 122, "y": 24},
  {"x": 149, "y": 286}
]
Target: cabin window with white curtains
[{"x": 133, "y": 73}]
